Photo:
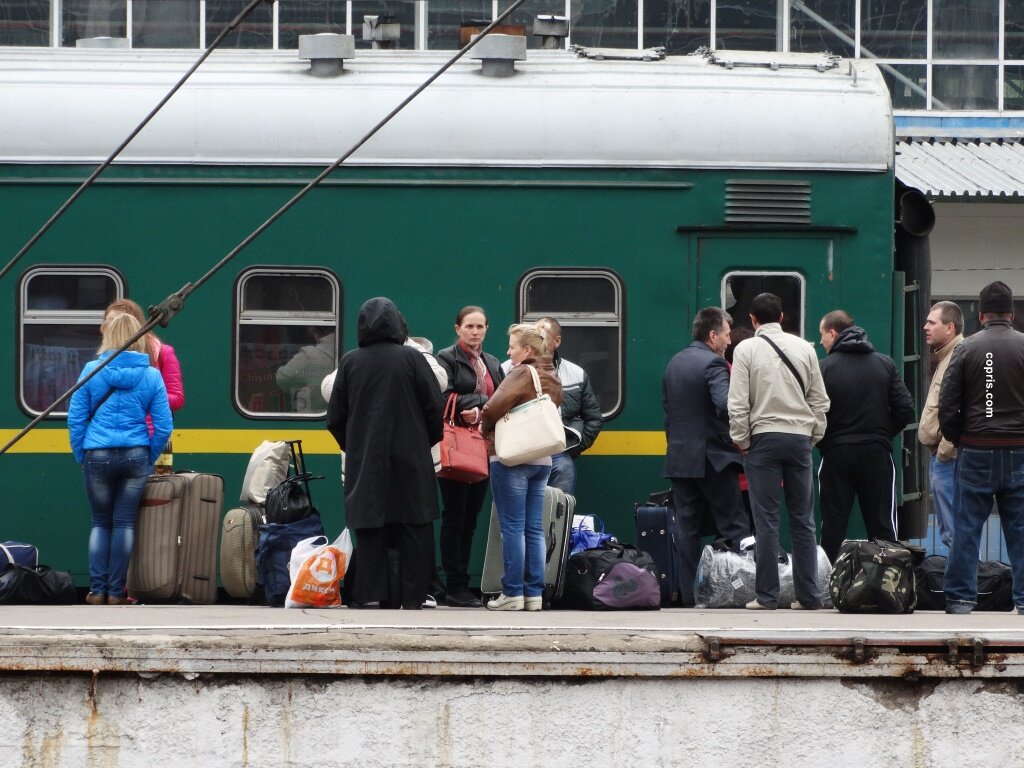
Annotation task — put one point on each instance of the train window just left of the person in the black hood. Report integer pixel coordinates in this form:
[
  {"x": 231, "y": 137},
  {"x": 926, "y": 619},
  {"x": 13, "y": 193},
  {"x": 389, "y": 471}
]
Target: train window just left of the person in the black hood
[{"x": 286, "y": 342}]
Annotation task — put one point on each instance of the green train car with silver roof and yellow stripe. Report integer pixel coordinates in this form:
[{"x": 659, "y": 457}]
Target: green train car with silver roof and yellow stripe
[{"x": 618, "y": 196}]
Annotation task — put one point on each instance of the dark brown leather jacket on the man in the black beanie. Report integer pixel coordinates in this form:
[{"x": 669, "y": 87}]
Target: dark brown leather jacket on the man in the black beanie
[{"x": 982, "y": 403}]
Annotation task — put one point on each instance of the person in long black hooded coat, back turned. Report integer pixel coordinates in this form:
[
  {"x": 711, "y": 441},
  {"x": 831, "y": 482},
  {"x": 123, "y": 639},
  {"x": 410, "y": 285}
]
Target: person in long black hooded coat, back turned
[{"x": 386, "y": 413}]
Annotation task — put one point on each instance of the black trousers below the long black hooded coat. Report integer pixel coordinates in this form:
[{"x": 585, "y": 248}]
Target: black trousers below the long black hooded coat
[{"x": 415, "y": 546}]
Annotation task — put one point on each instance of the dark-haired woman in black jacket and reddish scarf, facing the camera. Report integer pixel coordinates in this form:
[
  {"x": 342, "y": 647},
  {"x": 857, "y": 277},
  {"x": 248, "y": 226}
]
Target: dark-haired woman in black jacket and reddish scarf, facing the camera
[{"x": 474, "y": 376}]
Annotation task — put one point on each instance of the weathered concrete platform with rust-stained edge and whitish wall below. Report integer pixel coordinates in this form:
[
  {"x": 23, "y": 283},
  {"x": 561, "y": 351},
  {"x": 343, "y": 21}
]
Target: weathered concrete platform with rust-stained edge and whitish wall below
[{"x": 225, "y": 686}]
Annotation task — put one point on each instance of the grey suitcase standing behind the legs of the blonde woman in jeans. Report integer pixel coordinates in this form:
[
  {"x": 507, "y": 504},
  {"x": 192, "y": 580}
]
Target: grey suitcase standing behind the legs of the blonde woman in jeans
[{"x": 559, "y": 510}]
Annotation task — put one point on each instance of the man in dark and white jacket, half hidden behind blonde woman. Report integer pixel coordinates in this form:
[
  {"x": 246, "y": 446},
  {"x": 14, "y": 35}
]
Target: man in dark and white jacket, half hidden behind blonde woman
[{"x": 581, "y": 412}]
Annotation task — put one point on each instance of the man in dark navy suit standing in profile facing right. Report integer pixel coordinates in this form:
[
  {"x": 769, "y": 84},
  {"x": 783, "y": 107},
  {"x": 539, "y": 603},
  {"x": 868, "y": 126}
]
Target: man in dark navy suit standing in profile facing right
[{"x": 702, "y": 460}]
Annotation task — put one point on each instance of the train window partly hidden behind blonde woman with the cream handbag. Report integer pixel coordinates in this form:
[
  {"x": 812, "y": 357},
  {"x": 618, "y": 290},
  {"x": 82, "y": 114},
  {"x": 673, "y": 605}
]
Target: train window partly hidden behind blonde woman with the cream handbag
[{"x": 588, "y": 305}]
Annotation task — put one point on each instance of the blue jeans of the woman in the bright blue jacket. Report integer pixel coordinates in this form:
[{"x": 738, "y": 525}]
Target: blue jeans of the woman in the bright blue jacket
[{"x": 115, "y": 480}]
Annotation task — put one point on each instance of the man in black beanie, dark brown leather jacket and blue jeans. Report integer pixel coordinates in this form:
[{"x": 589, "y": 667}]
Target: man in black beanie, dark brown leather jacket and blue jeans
[{"x": 982, "y": 411}]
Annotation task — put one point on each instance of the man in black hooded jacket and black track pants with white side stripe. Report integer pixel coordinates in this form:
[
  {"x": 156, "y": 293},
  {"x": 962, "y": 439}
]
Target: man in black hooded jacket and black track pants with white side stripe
[{"x": 871, "y": 405}]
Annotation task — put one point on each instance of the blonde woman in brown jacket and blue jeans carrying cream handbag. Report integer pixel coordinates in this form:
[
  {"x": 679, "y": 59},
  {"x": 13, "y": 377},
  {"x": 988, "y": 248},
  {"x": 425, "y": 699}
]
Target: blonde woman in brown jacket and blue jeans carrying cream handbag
[{"x": 519, "y": 491}]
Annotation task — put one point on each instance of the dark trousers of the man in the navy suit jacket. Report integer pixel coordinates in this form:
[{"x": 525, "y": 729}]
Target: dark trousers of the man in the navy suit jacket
[{"x": 717, "y": 495}]
